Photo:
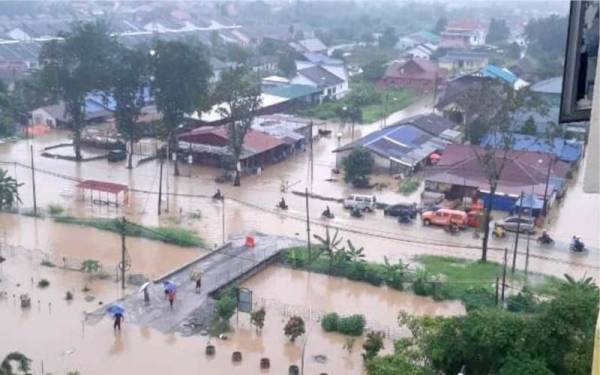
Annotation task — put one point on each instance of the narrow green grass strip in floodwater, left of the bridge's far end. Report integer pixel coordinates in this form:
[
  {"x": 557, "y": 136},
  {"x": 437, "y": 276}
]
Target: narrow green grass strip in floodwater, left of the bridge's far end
[{"x": 172, "y": 235}]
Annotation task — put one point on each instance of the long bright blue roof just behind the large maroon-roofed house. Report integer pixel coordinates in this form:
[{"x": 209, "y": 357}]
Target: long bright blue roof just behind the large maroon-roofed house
[{"x": 565, "y": 151}]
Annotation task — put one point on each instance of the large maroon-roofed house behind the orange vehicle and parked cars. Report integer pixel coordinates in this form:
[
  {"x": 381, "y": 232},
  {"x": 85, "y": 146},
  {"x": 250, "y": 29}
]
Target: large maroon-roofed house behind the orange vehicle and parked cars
[{"x": 460, "y": 174}]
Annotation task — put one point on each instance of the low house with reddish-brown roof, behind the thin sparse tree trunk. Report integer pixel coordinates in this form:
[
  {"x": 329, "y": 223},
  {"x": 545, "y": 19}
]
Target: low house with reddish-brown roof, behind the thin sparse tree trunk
[{"x": 209, "y": 146}]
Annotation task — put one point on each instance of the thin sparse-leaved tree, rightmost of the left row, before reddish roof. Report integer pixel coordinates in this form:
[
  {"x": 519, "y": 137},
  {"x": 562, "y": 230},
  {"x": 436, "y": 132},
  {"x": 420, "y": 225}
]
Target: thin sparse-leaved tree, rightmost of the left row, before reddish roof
[{"x": 239, "y": 91}]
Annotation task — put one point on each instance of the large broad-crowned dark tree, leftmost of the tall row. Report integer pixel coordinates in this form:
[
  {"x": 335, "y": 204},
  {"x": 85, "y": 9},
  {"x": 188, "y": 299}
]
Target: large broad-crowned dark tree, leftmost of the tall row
[{"x": 74, "y": 66}]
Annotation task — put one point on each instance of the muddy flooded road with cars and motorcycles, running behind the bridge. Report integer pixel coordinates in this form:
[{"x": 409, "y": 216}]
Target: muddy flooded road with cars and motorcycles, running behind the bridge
[{"x": 251, "y": 207}]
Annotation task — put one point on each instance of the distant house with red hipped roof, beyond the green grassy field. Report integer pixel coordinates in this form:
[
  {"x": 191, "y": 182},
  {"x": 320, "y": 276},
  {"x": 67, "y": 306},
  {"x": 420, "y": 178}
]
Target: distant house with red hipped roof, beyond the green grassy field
[{"x": 417, "y": 74}]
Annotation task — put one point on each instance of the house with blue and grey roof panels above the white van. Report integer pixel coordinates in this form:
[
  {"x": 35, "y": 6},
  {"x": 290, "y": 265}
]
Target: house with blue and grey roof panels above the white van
[{"x": 401, "y": 148}]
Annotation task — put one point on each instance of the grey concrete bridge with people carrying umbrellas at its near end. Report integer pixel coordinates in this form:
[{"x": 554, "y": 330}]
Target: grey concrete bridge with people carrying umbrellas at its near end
[{"x": 233, "y": 262}]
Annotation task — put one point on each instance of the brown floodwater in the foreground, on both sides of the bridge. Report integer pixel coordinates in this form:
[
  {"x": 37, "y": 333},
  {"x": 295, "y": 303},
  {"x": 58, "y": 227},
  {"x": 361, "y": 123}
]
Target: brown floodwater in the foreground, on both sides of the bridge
[{"x": 56, "y": 338}]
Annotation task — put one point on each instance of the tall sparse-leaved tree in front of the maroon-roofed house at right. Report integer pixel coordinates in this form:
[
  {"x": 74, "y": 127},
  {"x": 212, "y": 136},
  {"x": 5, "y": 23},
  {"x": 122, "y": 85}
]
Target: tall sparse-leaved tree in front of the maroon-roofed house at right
[{"x": 494, "y": 109}]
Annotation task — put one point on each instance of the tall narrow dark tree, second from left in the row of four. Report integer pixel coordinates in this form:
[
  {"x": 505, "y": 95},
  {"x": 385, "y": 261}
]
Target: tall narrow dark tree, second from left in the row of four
[{"x": 129, "y": 76}]
